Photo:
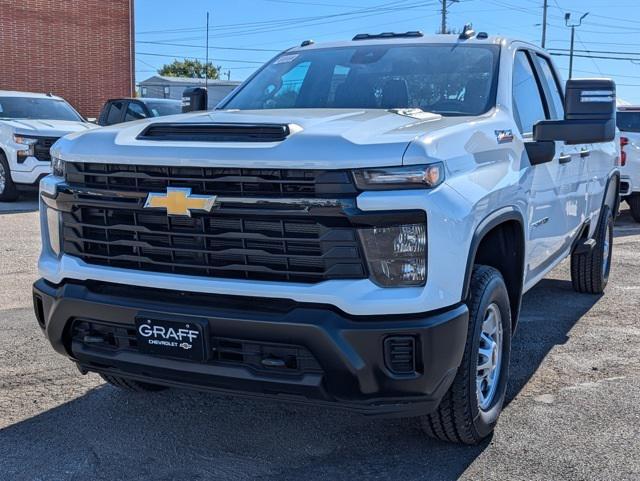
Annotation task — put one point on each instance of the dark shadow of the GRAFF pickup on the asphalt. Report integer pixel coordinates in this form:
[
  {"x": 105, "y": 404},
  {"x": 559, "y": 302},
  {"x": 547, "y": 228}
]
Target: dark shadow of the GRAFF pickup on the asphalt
[{"x": 107, "y": 434}]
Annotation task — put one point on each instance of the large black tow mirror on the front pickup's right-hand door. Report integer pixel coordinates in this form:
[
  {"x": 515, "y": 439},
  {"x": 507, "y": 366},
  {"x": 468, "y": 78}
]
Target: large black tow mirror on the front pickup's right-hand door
[{"x": 589, "y": 114}]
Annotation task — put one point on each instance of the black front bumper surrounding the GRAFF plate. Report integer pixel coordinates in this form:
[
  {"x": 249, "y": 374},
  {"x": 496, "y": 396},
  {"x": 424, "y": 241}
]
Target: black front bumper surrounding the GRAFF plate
[{"x": 346, "y": 364}]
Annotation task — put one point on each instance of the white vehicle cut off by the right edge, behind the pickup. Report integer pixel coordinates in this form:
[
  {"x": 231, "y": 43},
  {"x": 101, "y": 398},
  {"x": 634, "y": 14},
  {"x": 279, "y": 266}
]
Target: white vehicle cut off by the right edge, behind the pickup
[{"x": 629, "y": 125}]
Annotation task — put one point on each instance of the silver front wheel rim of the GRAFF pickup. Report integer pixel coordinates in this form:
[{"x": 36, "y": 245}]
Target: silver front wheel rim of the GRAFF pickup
[{"x": 489, "y": 357}]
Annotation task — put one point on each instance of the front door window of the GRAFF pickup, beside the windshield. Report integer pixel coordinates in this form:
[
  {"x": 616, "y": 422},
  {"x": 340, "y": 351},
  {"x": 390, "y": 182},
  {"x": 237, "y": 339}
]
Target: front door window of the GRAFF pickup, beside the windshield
[{"x": 527, "y": 101}]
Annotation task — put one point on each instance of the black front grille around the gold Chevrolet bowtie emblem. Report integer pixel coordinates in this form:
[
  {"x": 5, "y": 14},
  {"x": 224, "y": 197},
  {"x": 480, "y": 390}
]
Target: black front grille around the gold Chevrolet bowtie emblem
[{"x": 241, "y": 241}]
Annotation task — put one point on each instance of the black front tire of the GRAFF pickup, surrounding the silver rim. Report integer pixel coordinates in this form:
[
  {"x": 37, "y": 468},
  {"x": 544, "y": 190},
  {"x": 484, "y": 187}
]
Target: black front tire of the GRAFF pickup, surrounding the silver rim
[{"x": 459, "y": 417}]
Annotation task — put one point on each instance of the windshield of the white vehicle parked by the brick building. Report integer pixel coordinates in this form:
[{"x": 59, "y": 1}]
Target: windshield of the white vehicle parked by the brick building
[{"x": 37, "y": 108}]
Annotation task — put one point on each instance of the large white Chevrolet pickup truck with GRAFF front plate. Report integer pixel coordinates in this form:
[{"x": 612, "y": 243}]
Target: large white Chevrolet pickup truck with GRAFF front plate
[{"x": 355, "y": 227}]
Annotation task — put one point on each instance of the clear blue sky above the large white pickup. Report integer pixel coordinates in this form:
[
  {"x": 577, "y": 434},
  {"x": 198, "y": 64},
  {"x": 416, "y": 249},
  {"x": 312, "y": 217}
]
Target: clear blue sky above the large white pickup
[{"x": 244, "y": 34}]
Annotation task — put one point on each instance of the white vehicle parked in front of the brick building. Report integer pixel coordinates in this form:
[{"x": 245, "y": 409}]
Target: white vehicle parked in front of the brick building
[{"x": 29, "y": 125}]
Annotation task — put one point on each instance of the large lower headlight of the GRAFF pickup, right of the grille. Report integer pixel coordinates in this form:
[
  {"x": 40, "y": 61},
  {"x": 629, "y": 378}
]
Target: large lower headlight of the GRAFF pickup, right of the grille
[{"x": 396, "y": 255}]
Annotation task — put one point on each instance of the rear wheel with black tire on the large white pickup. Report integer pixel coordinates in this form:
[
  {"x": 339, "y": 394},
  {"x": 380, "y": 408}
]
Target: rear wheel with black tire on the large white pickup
[{"x": 590, "y": 270}]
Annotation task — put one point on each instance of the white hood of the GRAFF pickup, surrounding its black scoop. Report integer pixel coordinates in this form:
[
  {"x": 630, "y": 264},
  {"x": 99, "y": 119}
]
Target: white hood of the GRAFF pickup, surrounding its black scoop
[{"x": 320, "y": 138}]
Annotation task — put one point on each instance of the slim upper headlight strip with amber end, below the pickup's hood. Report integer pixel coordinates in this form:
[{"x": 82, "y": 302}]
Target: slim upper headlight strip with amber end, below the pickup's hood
[{"x": 389, "y": 178}]
